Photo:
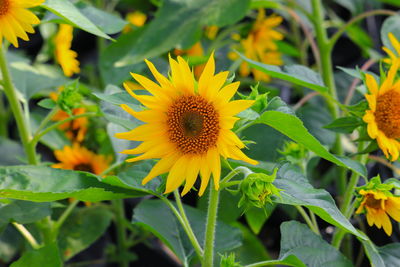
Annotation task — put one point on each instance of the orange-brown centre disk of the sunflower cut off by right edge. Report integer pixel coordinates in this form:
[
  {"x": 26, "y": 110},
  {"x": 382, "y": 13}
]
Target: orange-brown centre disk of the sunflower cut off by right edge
[{"x": 388, "y": 114}]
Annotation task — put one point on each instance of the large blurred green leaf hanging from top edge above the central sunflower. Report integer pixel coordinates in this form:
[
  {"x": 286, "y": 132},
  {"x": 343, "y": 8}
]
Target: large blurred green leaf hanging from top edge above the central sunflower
[{"x": 165, "y": 31}]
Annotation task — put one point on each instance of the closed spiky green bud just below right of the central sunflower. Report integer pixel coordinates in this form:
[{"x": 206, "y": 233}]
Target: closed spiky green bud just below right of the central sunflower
[{"x": 257, "y": 189}]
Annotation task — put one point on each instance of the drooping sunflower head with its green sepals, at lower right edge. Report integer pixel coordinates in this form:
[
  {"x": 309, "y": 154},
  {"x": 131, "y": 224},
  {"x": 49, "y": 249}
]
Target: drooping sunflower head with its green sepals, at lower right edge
[{"x": 377, "y": 203}]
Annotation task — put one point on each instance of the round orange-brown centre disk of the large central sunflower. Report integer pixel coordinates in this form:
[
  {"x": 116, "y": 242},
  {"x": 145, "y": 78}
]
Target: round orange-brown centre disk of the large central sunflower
[{"x": 193, "y": 124}]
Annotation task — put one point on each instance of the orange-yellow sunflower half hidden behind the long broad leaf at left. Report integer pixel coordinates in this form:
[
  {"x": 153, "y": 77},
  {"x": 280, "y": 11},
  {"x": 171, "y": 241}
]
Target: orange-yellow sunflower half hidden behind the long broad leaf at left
[{"x": 79, "y": 158}]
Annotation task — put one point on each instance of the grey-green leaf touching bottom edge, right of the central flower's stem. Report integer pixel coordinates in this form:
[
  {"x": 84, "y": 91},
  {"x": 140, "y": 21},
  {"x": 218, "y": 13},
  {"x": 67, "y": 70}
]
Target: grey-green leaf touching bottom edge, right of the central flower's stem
[{"x": 297, "y": 239}]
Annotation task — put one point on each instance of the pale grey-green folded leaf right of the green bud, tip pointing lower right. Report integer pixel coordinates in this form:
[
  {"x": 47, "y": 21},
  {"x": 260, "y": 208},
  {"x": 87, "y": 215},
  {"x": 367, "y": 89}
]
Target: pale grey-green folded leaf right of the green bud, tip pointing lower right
[{"x": 298, "y": 191}]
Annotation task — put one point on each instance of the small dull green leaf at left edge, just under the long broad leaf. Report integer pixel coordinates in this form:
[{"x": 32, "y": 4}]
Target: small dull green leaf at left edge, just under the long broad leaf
[{"x": 24, "y": 212}]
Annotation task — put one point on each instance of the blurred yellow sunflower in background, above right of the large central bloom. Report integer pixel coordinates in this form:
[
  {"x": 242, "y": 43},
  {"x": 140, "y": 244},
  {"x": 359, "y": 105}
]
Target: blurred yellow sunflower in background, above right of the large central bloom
[{"x": 260, "y": 45}]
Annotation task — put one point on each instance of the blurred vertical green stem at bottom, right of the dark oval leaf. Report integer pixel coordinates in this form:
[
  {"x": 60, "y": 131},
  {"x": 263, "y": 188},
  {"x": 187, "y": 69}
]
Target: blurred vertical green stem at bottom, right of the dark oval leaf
[{"x": 121, "y": 233}]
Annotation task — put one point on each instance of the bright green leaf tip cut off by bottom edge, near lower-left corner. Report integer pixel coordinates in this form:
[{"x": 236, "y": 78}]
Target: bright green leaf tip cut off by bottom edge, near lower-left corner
[{"x": 47, "y": 256}]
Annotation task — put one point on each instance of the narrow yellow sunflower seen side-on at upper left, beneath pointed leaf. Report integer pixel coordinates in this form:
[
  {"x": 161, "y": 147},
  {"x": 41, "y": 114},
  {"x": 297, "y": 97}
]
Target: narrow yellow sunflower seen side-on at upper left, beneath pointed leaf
[{"x": 63, "y": 53}]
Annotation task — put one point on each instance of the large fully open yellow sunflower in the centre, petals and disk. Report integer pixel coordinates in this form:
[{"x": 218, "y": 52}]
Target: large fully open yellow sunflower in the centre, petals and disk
[{"x": 188, "y": 125}]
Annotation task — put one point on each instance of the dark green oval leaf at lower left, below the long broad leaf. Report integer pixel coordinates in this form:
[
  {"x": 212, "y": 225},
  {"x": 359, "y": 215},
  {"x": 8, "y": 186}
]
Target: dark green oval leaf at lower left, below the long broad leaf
[{"x": 82, "y": 228}]
